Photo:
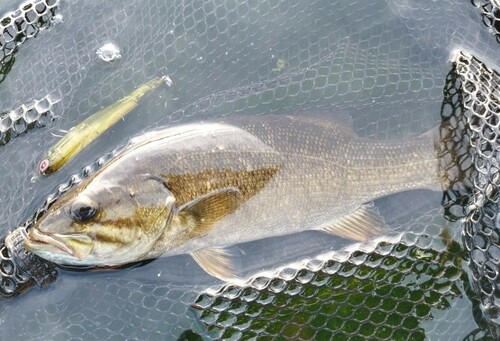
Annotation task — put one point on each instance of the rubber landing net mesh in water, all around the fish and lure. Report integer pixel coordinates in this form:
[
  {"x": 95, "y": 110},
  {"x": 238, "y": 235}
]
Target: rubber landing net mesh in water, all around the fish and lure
[{"x": 397, "y": 68}]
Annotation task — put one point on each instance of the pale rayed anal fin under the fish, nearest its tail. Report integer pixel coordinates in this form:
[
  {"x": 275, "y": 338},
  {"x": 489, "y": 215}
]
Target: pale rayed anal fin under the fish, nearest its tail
[{"x": 360, "y": 225}]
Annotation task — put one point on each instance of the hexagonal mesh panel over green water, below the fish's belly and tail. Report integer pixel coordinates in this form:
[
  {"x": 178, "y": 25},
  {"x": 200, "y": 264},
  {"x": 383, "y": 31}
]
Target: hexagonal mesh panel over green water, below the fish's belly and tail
[{"x": 383, "y": 290}]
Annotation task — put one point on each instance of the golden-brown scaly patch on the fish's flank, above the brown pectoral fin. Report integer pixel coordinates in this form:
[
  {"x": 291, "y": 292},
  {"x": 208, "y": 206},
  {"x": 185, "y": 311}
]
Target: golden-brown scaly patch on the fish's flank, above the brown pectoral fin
[{"x": 187, "y": 186}]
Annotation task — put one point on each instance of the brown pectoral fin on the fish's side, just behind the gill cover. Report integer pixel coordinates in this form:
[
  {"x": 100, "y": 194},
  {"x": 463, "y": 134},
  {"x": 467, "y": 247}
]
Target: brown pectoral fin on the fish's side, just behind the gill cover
[{"x": 201, "y": 213}]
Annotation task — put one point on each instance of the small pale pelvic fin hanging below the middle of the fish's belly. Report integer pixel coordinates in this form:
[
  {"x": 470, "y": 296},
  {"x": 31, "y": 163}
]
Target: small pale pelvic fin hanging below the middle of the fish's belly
[{"x": 216, "y": 262}]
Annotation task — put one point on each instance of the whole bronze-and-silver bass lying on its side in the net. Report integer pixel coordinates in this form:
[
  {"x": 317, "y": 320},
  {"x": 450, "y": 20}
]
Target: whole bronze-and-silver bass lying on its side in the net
[{"x": 200, "y": 188}]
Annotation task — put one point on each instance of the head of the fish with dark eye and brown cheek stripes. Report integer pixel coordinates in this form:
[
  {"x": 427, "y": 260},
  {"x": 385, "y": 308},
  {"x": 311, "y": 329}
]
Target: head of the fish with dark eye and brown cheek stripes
[{"x": 103, "y": 223}]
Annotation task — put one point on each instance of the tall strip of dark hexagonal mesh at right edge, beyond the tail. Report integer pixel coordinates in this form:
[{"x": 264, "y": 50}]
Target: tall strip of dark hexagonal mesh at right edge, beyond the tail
[{"x": 481, "y": 87}]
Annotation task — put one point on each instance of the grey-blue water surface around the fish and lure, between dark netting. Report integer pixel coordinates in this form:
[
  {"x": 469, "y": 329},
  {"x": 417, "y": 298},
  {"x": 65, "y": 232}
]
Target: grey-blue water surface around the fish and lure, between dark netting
[{"x": 382, "y": 63}]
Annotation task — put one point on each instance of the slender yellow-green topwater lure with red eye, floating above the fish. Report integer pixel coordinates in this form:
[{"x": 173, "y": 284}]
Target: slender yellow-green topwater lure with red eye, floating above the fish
[{"x": 88, "y": 130}]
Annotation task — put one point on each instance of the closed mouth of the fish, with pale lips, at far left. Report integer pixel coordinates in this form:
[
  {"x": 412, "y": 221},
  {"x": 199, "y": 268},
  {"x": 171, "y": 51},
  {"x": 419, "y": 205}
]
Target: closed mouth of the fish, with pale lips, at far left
[{"x": 76, "y": 245}]
